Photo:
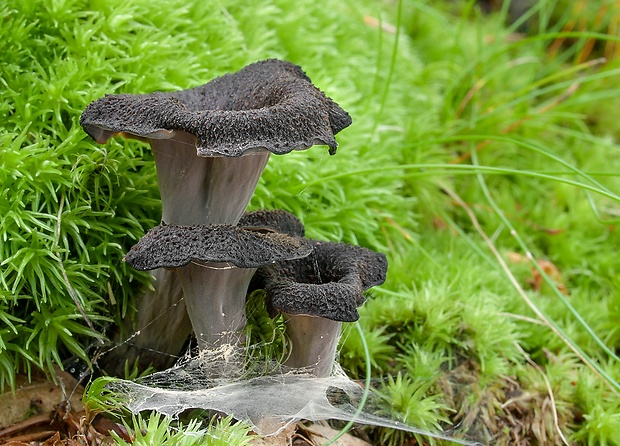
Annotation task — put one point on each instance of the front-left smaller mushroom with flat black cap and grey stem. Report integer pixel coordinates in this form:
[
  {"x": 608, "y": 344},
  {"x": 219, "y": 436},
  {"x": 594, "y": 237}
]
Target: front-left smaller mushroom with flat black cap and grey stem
[{"x": 215, "y": 264}]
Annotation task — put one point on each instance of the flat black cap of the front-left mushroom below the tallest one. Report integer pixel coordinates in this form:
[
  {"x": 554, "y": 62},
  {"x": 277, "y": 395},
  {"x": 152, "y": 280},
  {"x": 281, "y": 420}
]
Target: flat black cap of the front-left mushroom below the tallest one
[{"x": 170, "y": 246}]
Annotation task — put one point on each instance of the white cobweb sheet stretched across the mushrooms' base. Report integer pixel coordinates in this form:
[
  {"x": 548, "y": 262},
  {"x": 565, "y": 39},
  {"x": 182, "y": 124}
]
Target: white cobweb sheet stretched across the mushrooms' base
[{"x": 268, "y": 403}]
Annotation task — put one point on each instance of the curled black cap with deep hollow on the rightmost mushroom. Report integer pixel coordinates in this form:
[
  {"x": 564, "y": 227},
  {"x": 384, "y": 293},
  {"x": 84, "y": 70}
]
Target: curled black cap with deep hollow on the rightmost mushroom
[{"x": 328, "y": 283}]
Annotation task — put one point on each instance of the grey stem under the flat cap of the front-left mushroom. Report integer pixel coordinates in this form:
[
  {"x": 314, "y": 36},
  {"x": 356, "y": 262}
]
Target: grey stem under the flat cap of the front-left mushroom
[{"x": 215, "y": 299}]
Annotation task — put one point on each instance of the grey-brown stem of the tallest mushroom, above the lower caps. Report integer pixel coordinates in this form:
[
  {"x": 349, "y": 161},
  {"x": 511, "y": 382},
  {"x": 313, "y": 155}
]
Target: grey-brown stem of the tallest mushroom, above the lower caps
[{"x": 204, "y": 190}]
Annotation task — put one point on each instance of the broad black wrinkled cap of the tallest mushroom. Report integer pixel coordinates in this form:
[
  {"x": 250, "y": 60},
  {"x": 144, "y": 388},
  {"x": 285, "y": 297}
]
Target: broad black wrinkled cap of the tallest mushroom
[{"x": 270, "y": 105}]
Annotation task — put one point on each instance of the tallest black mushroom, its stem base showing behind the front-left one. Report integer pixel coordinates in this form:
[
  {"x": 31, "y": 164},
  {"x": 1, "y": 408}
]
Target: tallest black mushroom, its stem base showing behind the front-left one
[{"x": 211, "y": 144}]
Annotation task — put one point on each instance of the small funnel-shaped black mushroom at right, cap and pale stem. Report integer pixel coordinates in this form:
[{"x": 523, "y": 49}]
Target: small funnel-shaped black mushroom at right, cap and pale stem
[{"x": 316, "y": 294}]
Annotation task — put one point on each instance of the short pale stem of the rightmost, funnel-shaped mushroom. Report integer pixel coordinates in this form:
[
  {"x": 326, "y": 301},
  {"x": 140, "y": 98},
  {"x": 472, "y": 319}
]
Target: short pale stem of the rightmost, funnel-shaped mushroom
[{"x": 313, "y": 343}]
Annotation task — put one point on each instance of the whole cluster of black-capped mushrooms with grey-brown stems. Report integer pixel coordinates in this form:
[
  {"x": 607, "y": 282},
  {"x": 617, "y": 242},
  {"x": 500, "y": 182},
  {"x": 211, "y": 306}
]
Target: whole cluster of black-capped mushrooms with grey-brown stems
[{"x": 211, "y": 145}]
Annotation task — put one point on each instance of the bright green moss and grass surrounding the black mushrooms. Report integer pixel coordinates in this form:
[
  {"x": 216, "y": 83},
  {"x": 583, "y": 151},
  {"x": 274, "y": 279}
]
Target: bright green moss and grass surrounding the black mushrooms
[{"x": 436, "y": 97}]
